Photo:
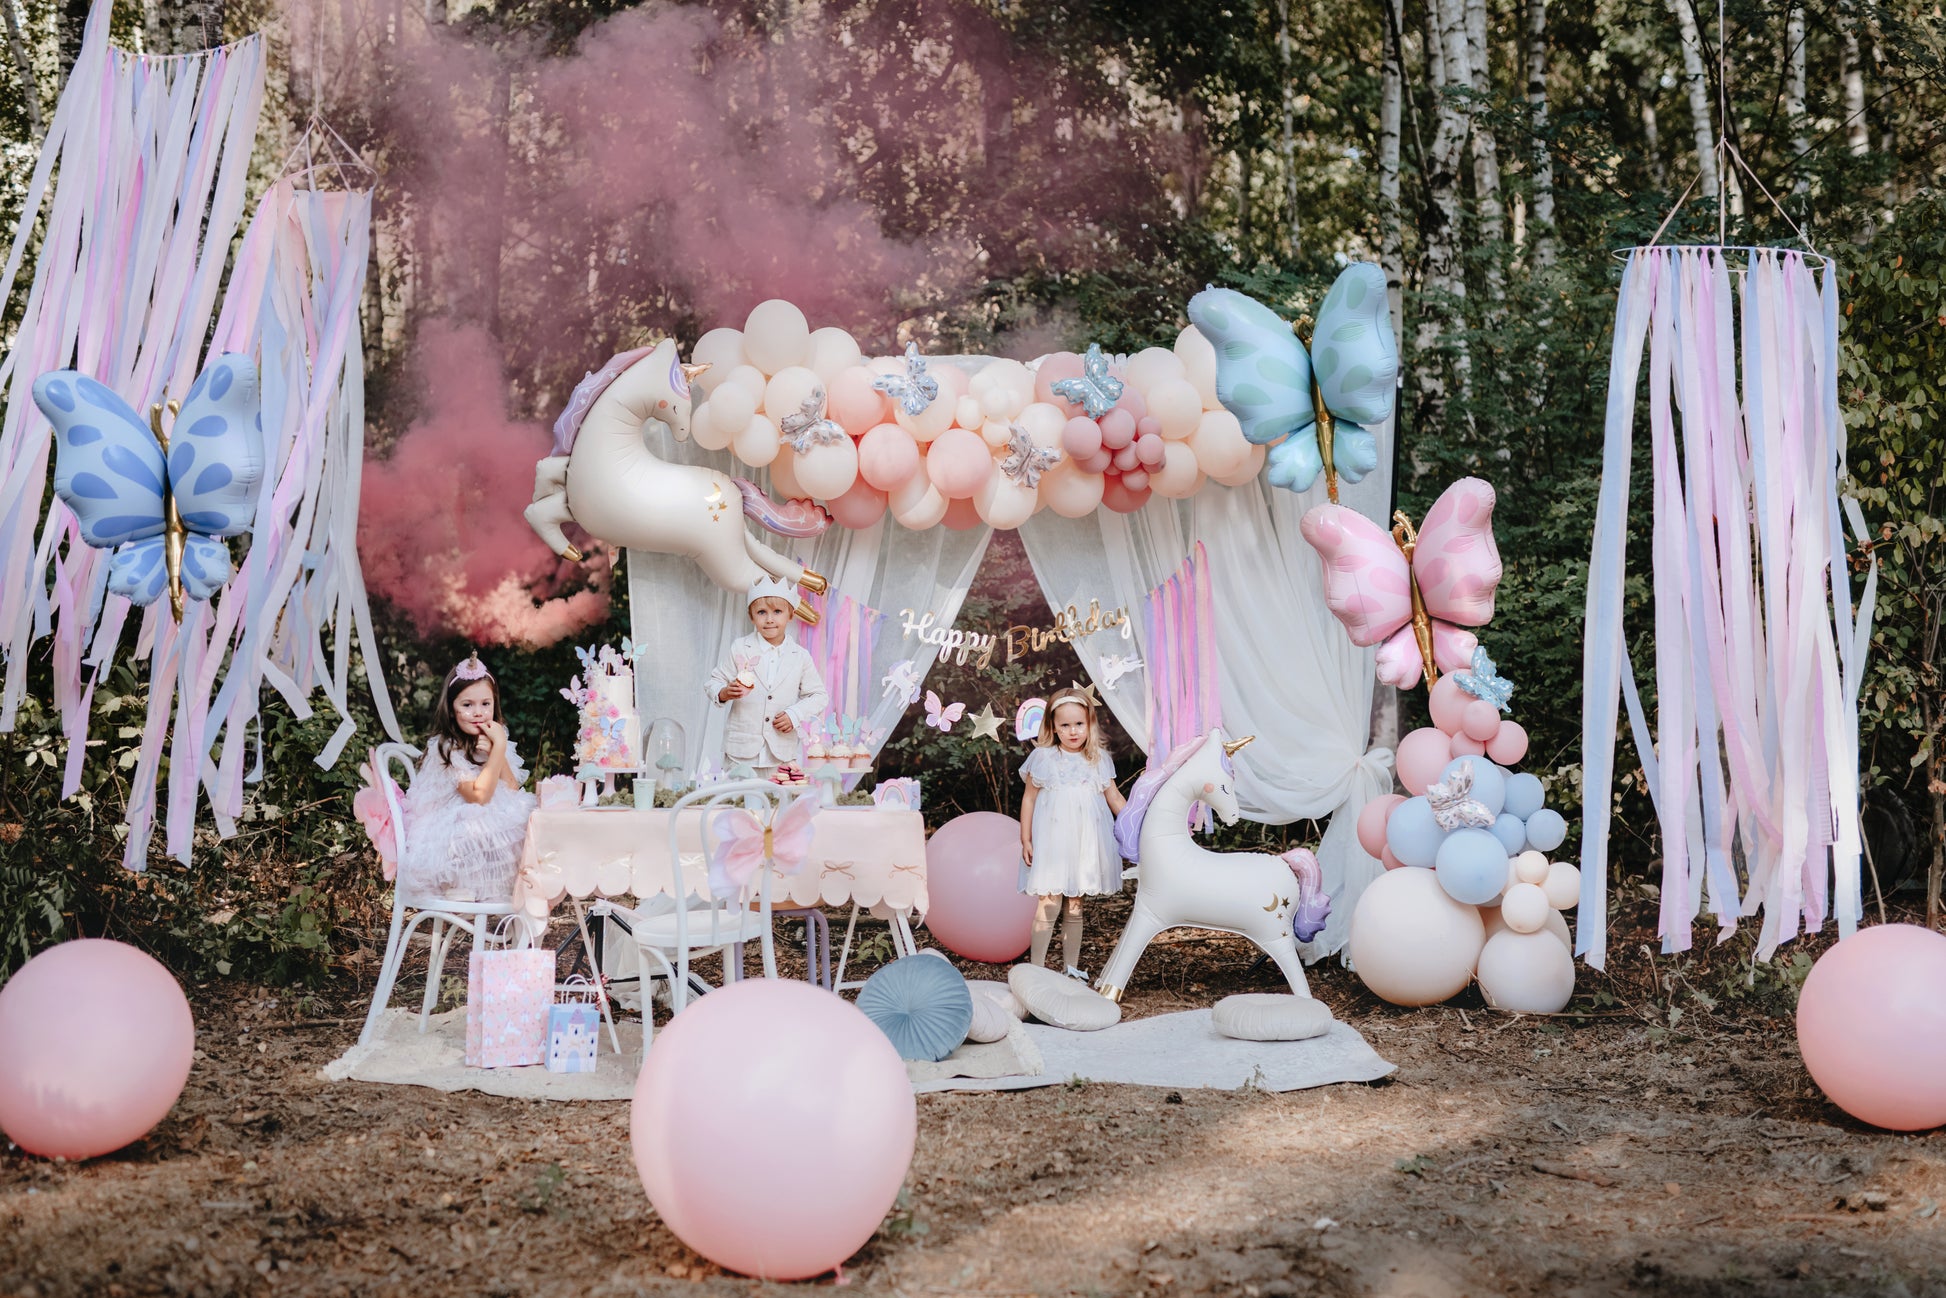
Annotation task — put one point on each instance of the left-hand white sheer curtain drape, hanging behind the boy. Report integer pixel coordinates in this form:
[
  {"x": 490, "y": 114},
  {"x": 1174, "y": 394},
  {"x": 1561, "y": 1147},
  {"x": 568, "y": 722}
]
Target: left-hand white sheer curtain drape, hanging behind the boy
[{"x": 688, "y": 622}]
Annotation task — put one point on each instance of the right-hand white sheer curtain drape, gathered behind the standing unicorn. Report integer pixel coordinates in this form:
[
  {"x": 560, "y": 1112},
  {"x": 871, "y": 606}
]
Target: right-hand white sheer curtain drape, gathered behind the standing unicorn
[{"x": 1287, "y": 670}]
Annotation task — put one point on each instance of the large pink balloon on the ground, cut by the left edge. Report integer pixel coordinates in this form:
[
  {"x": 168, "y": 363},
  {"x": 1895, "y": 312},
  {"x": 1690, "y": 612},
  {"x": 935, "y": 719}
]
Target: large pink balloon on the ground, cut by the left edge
[{"x": 96, "y": 1044}]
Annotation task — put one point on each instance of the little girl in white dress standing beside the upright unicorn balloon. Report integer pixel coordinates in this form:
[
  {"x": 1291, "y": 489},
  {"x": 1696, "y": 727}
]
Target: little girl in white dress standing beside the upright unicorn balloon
[{"x": 1067, "y": 824}]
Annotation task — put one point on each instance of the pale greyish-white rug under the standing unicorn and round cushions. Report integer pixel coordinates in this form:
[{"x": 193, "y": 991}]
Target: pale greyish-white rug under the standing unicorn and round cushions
[{"x": 1184, "y": 1052}]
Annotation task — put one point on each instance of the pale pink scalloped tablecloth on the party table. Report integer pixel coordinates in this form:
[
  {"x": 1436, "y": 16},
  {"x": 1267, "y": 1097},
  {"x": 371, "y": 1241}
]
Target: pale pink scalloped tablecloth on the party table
[{"x": 863, "y": 855}]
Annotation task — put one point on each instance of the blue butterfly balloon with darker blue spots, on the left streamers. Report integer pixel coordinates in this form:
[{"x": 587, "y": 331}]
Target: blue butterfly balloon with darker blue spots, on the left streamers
[{"x": 162, "y": 501}]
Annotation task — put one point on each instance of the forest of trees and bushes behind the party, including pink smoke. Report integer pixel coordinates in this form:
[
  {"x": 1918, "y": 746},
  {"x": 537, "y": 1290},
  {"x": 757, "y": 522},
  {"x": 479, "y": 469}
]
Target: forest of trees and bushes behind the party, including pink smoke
[{"x": 558, "y": 180}]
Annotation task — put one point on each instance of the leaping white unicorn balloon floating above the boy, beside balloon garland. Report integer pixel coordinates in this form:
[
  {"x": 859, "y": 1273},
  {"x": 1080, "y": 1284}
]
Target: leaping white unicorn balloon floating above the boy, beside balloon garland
[{"x": 604, "y": 478}]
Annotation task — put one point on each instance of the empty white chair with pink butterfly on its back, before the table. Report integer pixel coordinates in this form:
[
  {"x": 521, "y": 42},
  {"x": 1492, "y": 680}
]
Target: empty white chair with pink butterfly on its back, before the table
[{"x": 672, "y": 939}]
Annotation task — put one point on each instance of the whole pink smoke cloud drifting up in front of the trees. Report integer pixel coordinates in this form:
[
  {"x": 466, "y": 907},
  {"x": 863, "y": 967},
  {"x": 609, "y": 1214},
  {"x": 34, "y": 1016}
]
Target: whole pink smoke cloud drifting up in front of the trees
[{"x": 665, "y": 172}]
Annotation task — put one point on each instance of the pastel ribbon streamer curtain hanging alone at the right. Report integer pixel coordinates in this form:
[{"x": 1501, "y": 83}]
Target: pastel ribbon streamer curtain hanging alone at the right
[{"x": 1758, "y": 653}]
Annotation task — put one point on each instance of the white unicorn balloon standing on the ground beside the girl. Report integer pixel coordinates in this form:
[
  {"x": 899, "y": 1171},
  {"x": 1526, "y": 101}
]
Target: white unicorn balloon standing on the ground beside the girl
[{"x": 1186, "y": 884}]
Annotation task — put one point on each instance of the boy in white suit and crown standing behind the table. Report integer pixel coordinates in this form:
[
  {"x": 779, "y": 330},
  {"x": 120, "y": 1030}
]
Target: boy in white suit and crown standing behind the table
[{"x": 770, "y": 684}]
